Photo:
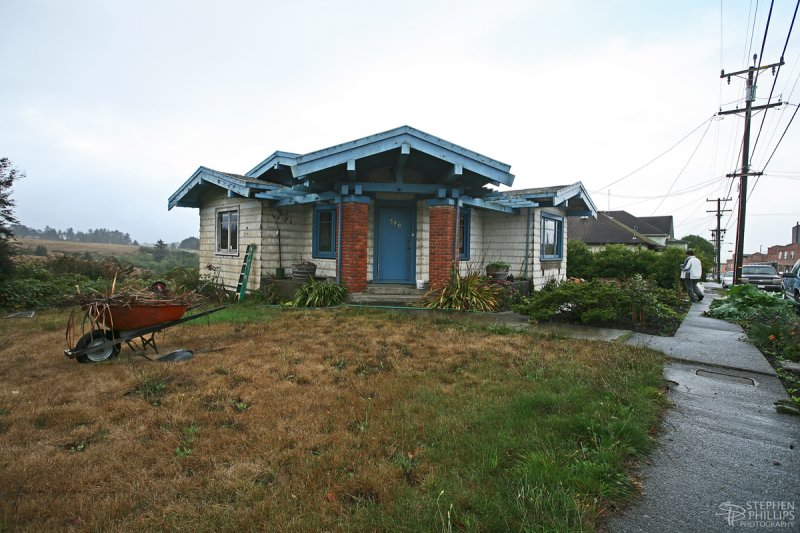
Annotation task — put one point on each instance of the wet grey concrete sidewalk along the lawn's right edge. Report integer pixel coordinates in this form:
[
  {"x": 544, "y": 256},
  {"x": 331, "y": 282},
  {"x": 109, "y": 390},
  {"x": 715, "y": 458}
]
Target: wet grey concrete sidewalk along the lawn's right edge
[{"x": 726, "y": 461}]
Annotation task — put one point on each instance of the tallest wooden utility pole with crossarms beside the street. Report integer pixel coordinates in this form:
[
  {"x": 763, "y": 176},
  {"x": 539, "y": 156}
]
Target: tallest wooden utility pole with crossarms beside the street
[{"x": 750, "y": 96}]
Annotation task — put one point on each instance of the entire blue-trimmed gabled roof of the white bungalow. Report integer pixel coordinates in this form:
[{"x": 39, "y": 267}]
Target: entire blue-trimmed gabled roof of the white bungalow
[{"x": 419, "y": 163}]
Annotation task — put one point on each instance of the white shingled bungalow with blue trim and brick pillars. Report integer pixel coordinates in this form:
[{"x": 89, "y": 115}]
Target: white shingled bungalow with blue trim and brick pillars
[{"x": 390, "y": 208}]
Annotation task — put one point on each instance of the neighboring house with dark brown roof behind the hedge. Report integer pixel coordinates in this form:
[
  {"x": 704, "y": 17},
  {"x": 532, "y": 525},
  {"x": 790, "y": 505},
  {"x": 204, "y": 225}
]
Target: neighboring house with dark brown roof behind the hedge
[{"x": 620, "y": 227}]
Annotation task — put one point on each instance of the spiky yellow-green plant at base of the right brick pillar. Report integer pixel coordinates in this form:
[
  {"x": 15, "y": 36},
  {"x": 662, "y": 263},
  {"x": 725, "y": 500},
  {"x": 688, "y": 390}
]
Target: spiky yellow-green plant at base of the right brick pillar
[{"x": 469, "y": 292}]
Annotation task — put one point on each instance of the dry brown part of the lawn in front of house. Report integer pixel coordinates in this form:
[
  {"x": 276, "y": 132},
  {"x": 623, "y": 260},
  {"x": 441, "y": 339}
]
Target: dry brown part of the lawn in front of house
[{"x": 284, "y": 424}]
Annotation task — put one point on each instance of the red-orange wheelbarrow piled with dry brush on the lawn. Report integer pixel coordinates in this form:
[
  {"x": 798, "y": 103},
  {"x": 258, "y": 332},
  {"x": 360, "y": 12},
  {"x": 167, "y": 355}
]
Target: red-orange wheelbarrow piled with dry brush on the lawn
[{"x": 110, "y": 325}]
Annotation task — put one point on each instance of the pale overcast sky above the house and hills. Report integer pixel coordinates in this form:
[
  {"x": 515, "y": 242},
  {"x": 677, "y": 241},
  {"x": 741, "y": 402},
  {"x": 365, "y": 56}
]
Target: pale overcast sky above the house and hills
[{"x": 109, "y": 106}]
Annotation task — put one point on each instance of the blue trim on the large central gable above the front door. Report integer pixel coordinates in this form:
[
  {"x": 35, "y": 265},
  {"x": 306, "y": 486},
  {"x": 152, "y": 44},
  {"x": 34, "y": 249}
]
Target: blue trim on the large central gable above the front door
[{"x": 493, "y": 170}]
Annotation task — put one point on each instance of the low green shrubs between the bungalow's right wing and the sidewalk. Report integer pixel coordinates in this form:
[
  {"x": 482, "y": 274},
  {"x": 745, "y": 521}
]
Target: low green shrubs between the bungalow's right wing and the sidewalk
[{"x": 634, "y": 304}]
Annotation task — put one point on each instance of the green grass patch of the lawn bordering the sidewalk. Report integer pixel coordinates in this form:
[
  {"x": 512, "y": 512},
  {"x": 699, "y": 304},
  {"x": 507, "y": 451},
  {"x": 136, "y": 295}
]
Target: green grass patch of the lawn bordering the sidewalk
[{"x": 546, "y": 449}]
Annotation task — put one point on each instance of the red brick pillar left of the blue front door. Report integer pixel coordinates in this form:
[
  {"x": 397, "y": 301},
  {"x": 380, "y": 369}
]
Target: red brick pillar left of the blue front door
[{"x": 354, "y": 221}]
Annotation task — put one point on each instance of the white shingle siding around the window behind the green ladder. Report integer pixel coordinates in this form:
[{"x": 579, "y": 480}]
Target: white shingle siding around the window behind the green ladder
[{"x": 249, "y": 233}]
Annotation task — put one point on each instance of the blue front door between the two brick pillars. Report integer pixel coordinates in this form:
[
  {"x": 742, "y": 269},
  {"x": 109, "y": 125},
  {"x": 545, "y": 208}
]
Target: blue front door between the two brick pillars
[{"x": 395, "y": 245}]
